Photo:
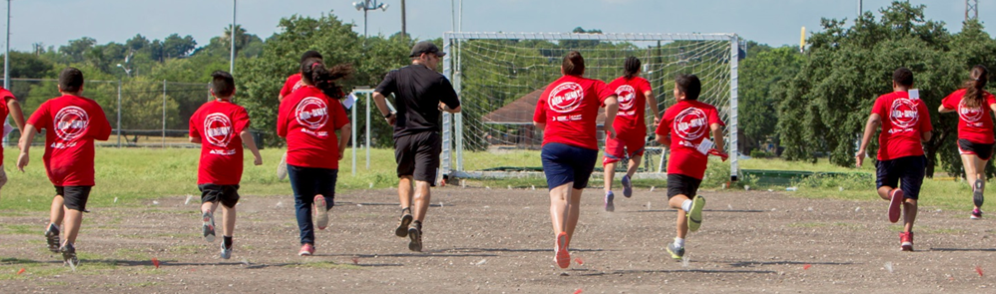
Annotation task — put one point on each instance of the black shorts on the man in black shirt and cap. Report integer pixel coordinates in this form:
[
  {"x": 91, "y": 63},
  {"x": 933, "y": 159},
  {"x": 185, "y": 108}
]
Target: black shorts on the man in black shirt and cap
[{"x": 417, "y": 155}]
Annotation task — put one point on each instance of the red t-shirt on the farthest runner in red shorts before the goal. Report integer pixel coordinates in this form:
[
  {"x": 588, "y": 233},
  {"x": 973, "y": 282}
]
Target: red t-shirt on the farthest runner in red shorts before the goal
[{"x": 632, "y": 104}]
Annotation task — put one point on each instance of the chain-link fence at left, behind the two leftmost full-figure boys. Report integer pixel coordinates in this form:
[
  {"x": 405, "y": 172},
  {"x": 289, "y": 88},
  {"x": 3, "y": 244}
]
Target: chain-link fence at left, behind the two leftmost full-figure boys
[{"x": 143, "y": 113}]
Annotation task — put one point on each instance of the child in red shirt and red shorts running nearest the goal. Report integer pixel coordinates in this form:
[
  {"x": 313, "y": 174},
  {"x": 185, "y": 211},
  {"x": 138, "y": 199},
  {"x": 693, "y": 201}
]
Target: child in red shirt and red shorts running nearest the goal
[{"x": 634, "y": 94}]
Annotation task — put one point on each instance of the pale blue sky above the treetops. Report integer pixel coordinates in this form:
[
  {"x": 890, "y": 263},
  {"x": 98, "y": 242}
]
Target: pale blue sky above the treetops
[{"x": 773, "y": 22}]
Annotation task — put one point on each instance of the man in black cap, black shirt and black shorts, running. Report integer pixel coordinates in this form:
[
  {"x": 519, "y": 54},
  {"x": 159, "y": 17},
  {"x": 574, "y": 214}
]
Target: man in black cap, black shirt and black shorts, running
[{"x": 421, "y": 94}]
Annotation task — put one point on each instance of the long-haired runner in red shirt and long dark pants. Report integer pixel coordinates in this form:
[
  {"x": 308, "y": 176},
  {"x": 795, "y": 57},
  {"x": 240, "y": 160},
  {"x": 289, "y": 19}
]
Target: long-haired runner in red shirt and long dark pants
[{"x": 308, "y": 120}]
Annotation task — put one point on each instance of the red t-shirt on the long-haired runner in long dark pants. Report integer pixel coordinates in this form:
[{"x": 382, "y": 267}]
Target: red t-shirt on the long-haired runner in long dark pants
[{"x": 309, "y": 119}]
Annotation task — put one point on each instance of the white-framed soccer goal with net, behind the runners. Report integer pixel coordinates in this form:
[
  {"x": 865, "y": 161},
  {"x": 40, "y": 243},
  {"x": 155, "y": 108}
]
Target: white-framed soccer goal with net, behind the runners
[{"x": 500, "y": 76}]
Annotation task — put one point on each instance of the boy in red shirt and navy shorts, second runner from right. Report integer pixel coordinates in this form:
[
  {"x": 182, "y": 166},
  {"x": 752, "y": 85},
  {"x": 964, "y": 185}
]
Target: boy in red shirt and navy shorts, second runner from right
[{"x": 901, "y": 164}]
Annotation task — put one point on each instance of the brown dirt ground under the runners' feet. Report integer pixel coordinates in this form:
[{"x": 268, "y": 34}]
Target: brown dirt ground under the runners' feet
[{"x": 500, "y": 241}]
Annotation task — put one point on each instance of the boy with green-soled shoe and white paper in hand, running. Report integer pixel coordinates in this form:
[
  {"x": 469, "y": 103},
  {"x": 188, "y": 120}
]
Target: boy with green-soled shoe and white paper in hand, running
[{"x": 685, "y": 129}]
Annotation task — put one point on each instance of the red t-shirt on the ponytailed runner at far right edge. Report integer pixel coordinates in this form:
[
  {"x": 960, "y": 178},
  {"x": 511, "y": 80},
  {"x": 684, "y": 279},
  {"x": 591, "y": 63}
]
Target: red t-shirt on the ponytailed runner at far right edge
[{"x": 974, "y": 124}]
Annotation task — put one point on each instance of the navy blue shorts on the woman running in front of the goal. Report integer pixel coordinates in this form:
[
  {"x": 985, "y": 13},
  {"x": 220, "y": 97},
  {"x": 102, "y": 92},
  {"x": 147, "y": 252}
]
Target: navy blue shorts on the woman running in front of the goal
[{"x": 563, "y": 164}]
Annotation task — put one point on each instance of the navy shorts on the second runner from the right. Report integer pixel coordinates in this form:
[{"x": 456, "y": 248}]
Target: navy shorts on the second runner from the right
[{"x": 905, "y": 172}]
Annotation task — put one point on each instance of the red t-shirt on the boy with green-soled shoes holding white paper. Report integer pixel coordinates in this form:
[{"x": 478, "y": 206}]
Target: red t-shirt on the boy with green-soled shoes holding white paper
[{"x": 688, "y": 123}]
